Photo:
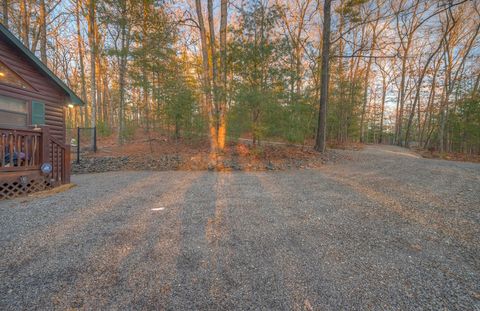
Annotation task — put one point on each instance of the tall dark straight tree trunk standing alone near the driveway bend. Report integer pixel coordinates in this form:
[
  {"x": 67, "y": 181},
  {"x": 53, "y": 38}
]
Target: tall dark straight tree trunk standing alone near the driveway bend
[{"x": 322, "y": 116}]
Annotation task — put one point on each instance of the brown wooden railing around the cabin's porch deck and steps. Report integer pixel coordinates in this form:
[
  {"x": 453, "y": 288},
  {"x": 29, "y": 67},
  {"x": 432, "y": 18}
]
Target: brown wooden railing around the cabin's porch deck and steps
[{"x": 26, "y": 150}]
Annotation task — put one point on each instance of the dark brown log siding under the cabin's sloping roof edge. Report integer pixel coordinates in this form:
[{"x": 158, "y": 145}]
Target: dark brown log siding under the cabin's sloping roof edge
[{"x": 44, "y": 90}]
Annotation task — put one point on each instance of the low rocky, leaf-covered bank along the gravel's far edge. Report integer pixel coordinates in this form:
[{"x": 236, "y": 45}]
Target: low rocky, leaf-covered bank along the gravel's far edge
[{"x": 256, "y": 159}]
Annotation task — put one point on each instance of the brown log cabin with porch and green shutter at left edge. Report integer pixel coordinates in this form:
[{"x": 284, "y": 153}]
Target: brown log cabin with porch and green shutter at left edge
[{"x": 33, "y": 153}]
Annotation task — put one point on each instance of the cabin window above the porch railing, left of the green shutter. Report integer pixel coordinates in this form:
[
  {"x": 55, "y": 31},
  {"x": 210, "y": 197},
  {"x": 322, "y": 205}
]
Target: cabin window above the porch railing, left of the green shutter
[{"x": 13, "y": 112}]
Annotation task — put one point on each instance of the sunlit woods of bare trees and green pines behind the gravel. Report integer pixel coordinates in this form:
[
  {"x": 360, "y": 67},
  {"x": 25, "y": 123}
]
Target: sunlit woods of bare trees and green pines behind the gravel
[{"x": 403, "y": 72}]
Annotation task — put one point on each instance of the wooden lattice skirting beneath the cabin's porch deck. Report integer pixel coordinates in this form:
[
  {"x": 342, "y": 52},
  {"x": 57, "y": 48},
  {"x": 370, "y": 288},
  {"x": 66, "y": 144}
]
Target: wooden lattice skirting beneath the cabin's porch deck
[{"x": 13, "y": 188}]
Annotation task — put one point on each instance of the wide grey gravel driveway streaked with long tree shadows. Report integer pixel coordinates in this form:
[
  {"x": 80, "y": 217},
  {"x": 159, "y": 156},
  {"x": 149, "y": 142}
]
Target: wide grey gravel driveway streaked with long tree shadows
[{"x": 384, "y": 231}]
